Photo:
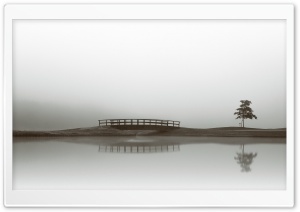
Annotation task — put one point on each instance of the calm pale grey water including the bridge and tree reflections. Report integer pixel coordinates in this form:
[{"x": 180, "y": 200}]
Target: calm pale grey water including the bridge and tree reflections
[{"x": 149, "y": 163}]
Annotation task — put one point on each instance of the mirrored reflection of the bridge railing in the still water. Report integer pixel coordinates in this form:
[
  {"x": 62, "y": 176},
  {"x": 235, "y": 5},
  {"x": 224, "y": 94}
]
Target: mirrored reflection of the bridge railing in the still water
[{"x": 138, "y": 148}]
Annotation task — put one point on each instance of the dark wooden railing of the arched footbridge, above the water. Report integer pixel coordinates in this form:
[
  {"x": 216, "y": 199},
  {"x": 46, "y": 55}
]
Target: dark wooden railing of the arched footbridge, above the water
[{"x": 138, "y": 122}]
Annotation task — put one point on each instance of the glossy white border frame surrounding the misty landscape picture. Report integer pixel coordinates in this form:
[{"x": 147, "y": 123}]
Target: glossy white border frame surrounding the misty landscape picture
[{"x": 148, "y": 198}]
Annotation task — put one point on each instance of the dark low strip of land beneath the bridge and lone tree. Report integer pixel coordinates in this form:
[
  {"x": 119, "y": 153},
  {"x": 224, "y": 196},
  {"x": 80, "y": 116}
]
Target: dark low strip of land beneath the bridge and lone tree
[{"x": 109, "y": 131}]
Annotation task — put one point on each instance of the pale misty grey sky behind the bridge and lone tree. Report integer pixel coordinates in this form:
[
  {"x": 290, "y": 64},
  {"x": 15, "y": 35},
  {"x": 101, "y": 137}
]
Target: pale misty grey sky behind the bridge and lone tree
[{"x": 70, "y": 73}]
